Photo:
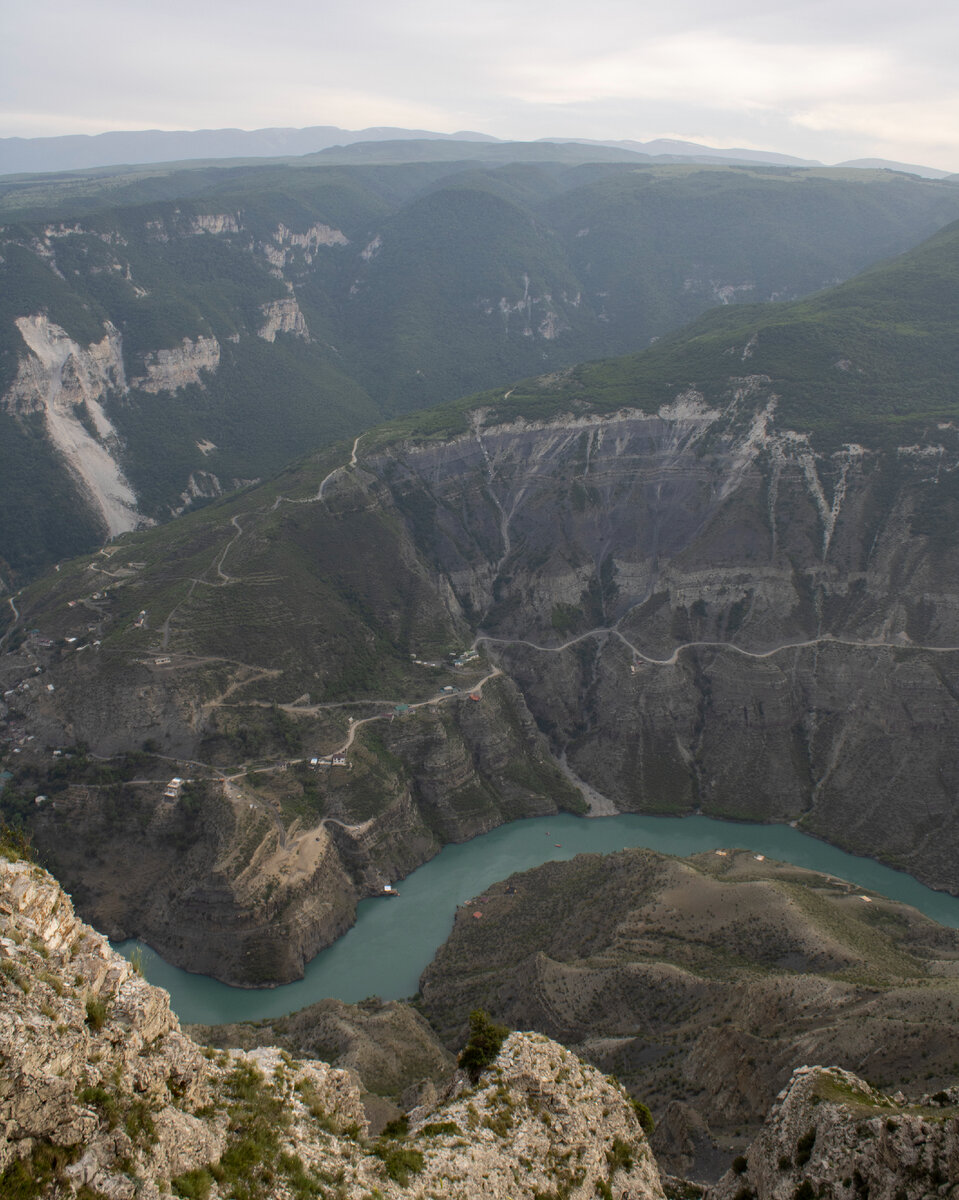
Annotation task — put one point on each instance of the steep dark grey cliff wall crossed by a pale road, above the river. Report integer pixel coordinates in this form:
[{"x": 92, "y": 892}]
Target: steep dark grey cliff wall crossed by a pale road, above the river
[{"x": 706, "y": 615}]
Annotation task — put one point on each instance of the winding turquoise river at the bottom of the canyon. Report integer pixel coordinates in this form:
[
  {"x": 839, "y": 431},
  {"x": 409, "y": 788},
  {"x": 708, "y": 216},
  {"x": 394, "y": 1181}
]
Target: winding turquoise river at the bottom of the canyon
[{"x": 394, "y": 940}]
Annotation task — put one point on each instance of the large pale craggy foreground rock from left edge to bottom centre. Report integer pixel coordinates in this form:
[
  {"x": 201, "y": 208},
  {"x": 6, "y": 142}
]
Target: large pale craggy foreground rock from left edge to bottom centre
[{"x": 101, "y": 1093}]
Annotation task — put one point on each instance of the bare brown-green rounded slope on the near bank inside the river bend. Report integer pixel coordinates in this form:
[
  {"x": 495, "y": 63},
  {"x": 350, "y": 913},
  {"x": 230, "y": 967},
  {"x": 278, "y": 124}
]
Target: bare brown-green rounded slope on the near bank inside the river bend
[{"x": 706, "y": 981}]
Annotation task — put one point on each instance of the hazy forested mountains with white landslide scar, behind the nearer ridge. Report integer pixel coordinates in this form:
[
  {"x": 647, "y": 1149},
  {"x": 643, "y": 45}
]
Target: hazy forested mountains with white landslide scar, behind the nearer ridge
[{"x": 167, "y": 338}]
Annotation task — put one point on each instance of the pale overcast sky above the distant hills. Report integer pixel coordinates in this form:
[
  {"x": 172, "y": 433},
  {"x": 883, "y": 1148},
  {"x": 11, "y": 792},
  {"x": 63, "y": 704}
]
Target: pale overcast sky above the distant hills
[{"x": 828, "y": 80}]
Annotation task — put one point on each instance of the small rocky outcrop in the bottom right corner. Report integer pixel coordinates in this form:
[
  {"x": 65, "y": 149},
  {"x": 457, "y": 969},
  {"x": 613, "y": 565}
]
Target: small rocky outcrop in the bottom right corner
[{"x": 832, "y": 1136}]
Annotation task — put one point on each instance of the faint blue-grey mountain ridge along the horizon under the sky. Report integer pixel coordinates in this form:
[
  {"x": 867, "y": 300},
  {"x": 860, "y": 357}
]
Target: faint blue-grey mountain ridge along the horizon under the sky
[{"x": 82, "y": 152}]
